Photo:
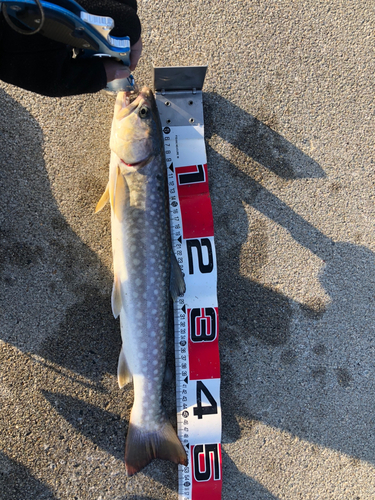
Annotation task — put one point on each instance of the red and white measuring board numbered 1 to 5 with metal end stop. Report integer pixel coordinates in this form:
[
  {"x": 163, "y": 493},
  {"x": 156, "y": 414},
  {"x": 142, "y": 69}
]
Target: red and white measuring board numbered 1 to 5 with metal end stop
[{"x": 178, "y": 93}]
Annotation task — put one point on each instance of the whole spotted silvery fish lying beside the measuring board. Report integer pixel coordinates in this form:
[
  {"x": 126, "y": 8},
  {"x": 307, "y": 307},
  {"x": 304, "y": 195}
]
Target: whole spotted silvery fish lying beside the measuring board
[{"x": 145, "y": 271}]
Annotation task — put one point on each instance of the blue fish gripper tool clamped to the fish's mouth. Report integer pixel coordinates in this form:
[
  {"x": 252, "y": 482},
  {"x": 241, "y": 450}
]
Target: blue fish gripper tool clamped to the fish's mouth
[{"x": 67, "y": 22}]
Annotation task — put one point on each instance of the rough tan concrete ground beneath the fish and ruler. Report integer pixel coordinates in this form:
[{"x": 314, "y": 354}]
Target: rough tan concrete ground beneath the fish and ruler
[{"x": 289, "y": 115}]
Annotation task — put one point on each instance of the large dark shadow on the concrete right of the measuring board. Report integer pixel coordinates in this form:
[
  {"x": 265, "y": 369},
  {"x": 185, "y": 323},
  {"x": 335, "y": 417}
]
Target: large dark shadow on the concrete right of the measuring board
[{"x": 342, "y": 334}]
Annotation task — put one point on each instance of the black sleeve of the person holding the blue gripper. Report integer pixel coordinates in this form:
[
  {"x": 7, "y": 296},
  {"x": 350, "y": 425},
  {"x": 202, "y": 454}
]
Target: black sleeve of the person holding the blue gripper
[{"x": 36, "y": 63}]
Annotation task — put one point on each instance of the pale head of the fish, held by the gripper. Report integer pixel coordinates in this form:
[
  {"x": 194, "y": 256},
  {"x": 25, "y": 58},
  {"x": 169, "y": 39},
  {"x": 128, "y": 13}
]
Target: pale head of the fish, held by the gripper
[{"x": 135, "y": 133}]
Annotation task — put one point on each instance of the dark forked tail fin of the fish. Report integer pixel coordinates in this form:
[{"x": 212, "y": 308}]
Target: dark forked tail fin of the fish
[{"x": 142, "y": 447}]
